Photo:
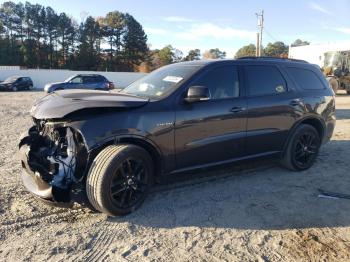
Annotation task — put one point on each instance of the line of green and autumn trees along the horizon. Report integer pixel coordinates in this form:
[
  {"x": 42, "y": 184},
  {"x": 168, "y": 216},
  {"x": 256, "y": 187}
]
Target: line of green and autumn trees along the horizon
[{"x": 36, "y": 36}]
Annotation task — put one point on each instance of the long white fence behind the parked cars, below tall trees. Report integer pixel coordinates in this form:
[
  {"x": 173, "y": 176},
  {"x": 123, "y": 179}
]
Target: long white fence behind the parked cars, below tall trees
[{"x": 41, "y": 77}]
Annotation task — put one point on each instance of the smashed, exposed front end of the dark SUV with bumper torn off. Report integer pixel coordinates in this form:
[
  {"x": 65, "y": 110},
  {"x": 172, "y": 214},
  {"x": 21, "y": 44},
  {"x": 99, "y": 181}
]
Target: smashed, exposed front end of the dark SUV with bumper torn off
[{"x": 46, "y": 173}]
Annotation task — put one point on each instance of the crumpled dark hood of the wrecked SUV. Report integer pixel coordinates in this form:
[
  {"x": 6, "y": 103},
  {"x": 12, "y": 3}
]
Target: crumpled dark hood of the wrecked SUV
[{"x": 61, "y": 103}]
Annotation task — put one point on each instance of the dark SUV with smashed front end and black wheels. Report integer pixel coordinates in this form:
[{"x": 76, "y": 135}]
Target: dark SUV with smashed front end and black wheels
[{"x": 180, "y": 117}]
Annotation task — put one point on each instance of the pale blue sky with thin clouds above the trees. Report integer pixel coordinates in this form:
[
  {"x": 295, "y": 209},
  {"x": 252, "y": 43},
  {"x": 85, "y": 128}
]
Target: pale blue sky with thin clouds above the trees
[{"x": 224, "y": 24}]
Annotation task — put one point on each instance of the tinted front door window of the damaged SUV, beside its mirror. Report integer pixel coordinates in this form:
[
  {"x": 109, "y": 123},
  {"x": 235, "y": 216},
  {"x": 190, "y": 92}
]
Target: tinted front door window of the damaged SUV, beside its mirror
[{"x": 222, "y": 82}]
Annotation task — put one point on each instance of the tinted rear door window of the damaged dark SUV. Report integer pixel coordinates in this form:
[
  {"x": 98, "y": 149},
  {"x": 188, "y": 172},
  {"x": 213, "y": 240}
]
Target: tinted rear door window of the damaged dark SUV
[{"x": 264, "y": 80}]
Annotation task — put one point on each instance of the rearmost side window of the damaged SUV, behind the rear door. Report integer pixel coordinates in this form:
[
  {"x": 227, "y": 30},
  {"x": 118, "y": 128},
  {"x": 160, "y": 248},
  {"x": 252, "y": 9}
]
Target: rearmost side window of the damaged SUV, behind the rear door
[{"x": 306, "y": 79}]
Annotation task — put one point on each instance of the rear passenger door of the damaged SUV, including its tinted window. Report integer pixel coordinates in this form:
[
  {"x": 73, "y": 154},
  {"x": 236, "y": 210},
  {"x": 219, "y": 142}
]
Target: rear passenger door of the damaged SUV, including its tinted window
[{"x": 273, "y": 107}]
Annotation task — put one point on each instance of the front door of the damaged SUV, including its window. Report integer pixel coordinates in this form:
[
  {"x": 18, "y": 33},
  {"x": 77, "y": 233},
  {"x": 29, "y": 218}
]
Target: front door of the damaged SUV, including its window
[{"x": 211, "y": 131}]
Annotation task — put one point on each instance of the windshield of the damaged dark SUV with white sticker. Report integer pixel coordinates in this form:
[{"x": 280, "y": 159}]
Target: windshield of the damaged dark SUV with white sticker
[{"x": 161, "y": 81}]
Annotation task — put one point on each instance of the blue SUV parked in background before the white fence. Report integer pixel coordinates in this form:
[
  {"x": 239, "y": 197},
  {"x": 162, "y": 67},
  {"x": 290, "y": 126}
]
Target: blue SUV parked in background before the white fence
[{"x": 81, "y": 81}]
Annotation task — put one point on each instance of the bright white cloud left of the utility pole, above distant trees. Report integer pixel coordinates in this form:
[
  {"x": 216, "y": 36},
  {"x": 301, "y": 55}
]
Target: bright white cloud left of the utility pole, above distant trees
[{"x": 203, "y": 30}]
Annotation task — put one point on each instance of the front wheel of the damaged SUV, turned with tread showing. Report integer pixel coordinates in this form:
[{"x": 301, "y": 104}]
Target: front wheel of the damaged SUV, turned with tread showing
[{"x": 119, "y": 179}]
